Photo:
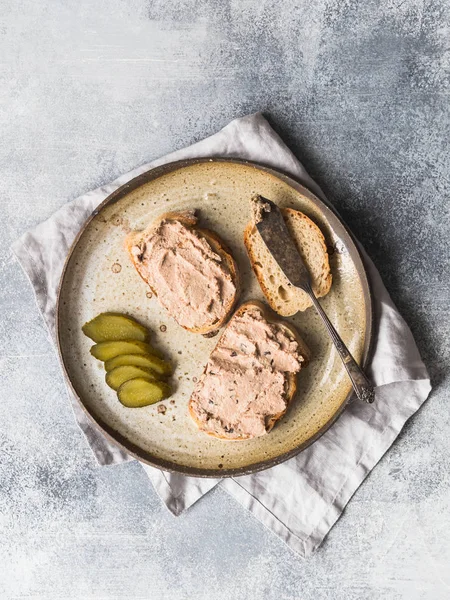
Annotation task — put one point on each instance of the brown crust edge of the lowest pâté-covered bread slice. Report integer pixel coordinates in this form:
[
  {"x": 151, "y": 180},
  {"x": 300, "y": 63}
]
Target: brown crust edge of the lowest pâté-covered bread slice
[{"x": 292, "y": 378}]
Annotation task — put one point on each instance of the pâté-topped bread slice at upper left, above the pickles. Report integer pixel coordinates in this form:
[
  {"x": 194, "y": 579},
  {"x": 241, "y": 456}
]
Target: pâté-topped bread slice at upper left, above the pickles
[{"x": 189, "y": 269}]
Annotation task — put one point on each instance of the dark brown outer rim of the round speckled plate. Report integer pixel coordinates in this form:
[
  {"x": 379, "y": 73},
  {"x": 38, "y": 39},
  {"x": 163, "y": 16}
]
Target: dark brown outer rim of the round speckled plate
[{"x": 124, "y": 443}]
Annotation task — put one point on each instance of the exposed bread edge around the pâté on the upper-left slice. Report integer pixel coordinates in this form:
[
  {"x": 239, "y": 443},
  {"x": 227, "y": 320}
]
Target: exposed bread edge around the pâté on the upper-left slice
[{"x": 189, "y": 220}]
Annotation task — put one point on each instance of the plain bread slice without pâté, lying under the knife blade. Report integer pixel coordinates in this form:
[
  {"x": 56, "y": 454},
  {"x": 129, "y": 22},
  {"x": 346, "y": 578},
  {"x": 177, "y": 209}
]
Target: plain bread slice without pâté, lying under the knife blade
[{"x": 281, "y": 295}]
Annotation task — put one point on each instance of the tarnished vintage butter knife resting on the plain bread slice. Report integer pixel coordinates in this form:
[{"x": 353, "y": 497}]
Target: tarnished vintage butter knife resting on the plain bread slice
[{"x": 275, "y": 234}]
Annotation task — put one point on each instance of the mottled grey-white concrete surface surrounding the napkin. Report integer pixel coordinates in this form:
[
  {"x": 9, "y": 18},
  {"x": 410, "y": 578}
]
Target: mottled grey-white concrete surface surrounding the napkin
[{"x": 90, "y": 89}]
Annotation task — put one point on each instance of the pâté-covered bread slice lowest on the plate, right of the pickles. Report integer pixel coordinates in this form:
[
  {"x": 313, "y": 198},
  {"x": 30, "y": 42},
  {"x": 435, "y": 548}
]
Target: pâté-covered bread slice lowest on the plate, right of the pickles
[{"x": 213, "y": 399}]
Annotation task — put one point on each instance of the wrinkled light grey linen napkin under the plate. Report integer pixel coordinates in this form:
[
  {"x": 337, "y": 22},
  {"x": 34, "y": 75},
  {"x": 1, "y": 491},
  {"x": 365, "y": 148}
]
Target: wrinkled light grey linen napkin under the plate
[{"x": 301, "y": 499}]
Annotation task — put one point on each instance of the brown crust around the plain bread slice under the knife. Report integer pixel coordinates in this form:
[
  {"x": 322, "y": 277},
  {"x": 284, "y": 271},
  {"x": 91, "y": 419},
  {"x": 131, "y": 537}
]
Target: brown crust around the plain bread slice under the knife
[{"x": 259, "y": 270}]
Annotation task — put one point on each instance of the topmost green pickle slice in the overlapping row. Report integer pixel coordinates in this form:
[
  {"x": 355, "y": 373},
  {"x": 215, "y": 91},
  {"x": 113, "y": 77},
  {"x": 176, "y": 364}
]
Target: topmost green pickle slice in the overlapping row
[{"x": 113, "y": 326}]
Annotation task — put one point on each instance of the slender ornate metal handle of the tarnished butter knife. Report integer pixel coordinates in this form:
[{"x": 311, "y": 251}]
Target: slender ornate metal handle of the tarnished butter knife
[{"x": 362, "y": 386}]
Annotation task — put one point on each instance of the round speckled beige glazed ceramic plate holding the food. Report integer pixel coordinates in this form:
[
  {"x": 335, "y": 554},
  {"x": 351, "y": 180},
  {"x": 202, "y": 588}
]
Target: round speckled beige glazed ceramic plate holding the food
[{"x": 98, "y": 277}]
